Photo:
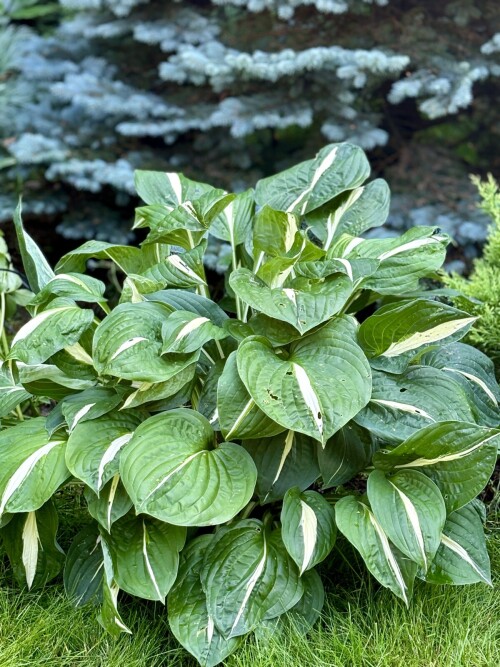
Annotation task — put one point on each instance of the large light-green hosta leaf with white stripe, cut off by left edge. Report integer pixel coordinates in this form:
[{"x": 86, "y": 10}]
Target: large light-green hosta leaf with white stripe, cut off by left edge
[{"x": 33, "y": 466}]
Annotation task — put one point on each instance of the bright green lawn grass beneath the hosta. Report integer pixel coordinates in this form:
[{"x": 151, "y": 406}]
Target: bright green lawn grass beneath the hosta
[{"x": 363, "y": 626}]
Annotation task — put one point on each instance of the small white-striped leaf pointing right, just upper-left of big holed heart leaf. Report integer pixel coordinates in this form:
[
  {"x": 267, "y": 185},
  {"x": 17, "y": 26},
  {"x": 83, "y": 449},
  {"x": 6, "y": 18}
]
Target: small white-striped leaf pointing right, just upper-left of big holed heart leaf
[{"x": 184, "y": 332}]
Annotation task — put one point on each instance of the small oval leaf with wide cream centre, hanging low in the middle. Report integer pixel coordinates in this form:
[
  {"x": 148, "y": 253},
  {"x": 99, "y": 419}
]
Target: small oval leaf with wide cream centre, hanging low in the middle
[{"x": 307, "y": 527}]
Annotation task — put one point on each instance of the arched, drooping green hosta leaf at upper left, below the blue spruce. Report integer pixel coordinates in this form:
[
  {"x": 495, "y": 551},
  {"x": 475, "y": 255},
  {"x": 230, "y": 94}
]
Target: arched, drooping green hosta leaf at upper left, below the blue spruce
[{"x": 127, "y": 258}]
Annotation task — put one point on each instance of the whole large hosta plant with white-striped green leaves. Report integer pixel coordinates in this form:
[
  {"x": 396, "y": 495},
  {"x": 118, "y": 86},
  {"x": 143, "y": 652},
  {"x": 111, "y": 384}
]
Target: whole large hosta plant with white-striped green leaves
[{"x": 223, "y": 437}]
